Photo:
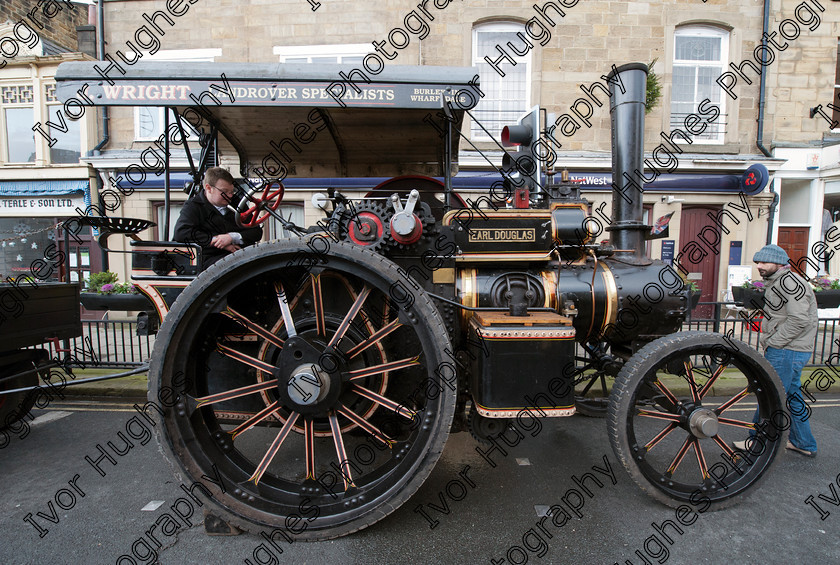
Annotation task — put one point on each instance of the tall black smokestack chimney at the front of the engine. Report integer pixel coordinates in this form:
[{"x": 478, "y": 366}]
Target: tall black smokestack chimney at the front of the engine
[{"x": 628, "y": 87}]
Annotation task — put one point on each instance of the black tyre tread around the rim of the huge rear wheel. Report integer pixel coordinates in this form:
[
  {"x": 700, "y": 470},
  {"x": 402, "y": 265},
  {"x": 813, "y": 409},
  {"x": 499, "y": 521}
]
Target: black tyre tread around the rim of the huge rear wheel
[{"x": 431, "y": 317}]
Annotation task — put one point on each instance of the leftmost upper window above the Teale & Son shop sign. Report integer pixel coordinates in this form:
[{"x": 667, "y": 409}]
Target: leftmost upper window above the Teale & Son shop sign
[{"x": 18, "y": 116}]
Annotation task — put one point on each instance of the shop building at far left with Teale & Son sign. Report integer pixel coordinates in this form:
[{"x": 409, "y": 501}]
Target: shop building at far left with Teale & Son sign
[{"x": 42, "y": 180}]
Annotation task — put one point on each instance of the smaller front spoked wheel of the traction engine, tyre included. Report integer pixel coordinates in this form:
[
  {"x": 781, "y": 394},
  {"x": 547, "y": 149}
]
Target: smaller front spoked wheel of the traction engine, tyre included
[{"x": 677, "y": 445}]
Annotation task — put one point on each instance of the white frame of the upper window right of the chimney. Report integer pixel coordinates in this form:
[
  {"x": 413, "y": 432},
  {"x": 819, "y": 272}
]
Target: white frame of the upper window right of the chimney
[{"x": 699, "y": 30}]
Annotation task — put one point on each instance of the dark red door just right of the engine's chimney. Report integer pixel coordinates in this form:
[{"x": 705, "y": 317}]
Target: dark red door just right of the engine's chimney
[{"x": 695, "y": 220}]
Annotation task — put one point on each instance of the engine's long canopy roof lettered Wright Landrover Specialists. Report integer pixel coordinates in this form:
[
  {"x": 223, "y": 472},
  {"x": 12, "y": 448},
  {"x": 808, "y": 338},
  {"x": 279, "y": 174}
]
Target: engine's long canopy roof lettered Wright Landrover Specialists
[{"x": 304, "y": 119}]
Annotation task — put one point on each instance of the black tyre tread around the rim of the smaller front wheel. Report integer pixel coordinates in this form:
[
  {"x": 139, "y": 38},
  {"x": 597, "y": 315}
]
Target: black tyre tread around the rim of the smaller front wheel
[{"x": 623, "y": 388}]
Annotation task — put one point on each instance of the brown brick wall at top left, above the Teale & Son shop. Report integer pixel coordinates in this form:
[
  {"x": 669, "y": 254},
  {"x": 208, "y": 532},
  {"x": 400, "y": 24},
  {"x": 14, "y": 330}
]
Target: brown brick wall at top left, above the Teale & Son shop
[{"x": 54, "y": 20}]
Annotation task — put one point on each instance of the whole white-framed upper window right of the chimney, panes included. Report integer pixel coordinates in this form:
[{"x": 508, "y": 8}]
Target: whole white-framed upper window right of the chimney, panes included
[{"x": 700, "y": 56}]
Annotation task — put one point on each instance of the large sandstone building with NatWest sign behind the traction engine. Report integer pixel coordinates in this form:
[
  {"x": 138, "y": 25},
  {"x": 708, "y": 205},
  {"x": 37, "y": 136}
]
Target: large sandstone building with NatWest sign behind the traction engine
[{"x": 565, "y": 46}]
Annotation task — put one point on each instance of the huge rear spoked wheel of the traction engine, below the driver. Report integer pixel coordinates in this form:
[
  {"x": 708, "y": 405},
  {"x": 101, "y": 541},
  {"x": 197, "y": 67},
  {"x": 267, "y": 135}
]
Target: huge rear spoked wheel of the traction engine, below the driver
[{"x": 315, "y": 385}]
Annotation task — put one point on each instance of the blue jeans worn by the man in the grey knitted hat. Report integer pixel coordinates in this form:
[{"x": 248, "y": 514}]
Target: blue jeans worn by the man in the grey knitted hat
[{"x": 789, "y": 363}]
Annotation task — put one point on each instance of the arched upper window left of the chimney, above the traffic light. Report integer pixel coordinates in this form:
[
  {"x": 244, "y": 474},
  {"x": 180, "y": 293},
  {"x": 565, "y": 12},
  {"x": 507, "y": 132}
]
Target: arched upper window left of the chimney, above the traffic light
[{"x": 506, "y": 98}]
